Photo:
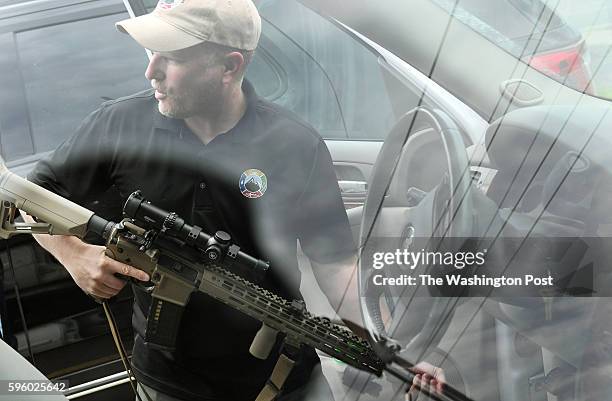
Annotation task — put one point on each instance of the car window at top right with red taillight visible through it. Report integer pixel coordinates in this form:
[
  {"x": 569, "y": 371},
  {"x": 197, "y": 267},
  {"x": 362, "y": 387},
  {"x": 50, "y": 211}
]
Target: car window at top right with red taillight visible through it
[{"x": 566, "y": 40}]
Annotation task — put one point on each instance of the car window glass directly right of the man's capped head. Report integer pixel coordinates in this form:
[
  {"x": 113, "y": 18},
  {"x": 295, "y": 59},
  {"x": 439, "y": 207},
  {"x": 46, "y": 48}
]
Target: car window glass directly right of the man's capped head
[{"x": 339, "y": 88}]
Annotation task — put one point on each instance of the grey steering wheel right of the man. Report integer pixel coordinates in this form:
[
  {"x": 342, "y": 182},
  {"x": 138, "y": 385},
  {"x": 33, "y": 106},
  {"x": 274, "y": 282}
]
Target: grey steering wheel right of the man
[{"x": 397, "y": 215}]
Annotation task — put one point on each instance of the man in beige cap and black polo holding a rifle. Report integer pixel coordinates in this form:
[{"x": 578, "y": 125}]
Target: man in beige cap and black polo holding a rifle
[{"x": 202, "y": 144}]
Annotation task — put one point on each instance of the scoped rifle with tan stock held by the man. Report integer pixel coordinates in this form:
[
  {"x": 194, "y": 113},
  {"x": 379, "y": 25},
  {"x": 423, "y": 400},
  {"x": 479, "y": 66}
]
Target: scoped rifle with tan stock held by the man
[{"x": 181, "y": 259}]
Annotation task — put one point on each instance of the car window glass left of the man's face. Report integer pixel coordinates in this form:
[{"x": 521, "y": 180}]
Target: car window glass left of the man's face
[{"x": 69, "y": 69}]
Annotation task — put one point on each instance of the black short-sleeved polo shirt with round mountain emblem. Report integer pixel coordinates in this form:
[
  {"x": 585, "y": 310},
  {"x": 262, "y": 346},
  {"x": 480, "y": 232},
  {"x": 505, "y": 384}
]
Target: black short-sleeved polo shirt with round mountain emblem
[{"x": 268, "y": 181}]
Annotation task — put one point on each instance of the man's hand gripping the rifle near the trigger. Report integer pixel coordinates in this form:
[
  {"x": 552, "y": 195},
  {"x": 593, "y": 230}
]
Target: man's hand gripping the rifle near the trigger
[{"x": 94, "y": 272}]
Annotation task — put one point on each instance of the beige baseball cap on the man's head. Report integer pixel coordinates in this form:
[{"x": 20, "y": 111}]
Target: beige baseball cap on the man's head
[{"x": 178, "y": 24}]
